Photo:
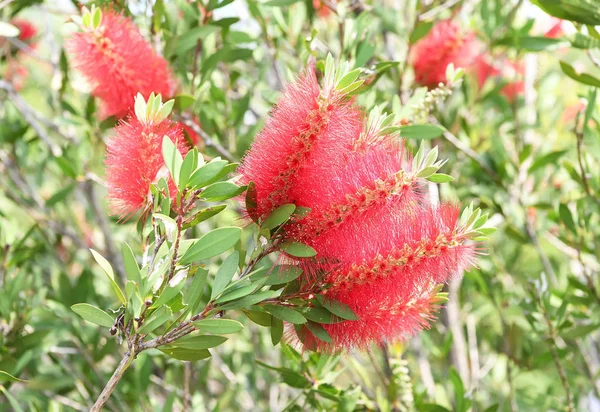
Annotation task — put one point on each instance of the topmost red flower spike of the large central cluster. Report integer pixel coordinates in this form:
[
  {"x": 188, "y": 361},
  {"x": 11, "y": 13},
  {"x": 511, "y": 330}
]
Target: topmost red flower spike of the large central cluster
[{"x": 297, "y": 135}]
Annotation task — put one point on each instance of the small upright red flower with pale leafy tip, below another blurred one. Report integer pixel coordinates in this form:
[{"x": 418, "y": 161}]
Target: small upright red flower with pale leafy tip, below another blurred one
[{"x": 134, "y": 157}]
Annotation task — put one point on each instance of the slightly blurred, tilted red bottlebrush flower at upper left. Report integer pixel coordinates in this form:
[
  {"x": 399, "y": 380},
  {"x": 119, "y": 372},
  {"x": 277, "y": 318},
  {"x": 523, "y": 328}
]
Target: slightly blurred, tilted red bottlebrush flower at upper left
[{"x": 117, "y": 61}]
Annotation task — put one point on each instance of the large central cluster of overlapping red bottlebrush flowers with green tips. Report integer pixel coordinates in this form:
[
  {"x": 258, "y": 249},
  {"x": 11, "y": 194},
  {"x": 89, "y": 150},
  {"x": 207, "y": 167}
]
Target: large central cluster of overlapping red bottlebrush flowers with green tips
[{"x": 381, "y": 249}]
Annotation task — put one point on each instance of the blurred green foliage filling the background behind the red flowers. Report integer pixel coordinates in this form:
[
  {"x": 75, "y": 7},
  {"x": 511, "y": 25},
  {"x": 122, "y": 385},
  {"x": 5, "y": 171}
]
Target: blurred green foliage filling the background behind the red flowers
[{"x": 520, "y": 332}]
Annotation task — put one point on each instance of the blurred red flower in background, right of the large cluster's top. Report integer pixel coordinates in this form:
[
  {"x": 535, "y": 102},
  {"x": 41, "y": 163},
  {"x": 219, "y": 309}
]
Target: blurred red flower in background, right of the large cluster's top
[{"x": 446, "y": 43}]
